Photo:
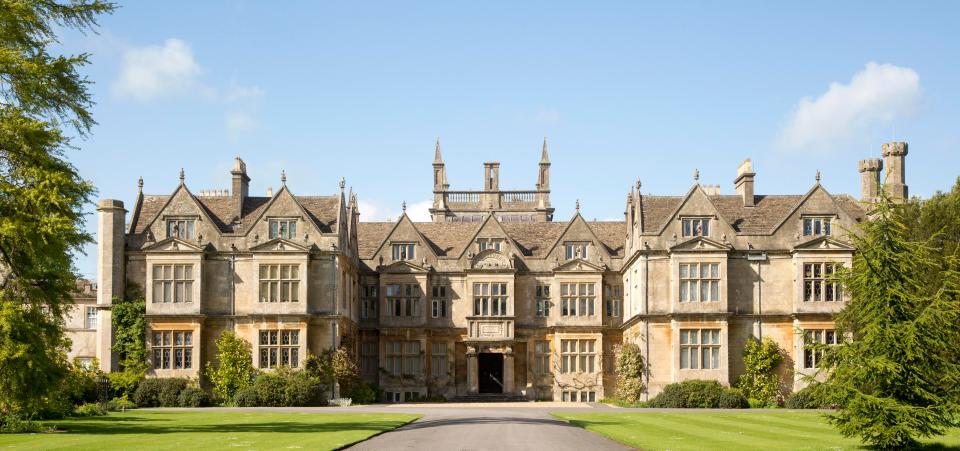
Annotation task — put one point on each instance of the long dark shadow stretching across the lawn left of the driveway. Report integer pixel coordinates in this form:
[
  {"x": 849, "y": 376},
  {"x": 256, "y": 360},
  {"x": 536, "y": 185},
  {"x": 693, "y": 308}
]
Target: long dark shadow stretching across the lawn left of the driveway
[{"x": 136, "y": 425}]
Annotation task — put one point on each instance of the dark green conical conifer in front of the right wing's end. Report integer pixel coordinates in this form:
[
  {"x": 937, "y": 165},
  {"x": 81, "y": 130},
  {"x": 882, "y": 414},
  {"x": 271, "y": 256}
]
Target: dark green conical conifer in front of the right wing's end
[{"x": 893, "y": 377}]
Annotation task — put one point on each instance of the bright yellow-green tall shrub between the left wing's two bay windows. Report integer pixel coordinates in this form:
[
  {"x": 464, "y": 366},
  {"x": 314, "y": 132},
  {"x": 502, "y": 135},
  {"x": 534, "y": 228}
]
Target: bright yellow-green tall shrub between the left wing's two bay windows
[{"x": 235, "y": 369}]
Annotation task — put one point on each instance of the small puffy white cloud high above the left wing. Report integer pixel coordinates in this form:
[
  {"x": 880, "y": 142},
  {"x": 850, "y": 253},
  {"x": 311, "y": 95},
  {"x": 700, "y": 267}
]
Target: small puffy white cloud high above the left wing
[{"x": 155, "y": 71}]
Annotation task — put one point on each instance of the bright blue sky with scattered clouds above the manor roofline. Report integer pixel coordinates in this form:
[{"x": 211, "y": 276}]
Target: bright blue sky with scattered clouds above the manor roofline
[{"x": 621, "y": 90}]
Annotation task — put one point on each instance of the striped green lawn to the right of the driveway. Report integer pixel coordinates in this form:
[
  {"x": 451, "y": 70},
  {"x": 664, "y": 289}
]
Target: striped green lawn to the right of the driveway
[{"x": 725, "y": 430}]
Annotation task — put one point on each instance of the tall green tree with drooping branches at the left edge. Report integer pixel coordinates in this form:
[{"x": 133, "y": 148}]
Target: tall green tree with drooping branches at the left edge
[{"x": 43, "y": 98}]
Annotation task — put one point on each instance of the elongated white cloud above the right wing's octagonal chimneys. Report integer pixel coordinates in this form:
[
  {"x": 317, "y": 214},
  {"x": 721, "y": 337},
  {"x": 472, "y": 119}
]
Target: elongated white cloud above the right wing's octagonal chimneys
[{"x": 875, "y": 95}]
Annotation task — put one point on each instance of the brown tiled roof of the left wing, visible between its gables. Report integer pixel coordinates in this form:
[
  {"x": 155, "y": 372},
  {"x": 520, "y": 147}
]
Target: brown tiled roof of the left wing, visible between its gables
[{"x": 322, "y": 210}]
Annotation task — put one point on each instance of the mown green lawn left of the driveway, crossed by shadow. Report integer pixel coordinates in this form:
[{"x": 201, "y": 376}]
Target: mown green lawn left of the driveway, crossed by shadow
[{"x": 199, "y": 429}]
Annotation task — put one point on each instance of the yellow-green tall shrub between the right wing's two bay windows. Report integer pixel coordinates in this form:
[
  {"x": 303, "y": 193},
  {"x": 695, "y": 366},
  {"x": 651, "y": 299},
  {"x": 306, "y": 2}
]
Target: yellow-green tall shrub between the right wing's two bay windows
[{"x": 760, "y": 381}]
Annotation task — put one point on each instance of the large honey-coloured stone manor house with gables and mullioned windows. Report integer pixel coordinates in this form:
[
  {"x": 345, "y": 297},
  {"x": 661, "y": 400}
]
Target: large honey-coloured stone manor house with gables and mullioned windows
[{"x": 494, "y": 297}]
